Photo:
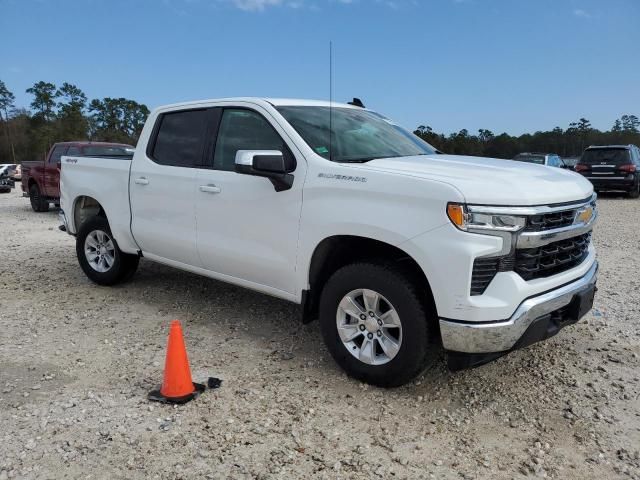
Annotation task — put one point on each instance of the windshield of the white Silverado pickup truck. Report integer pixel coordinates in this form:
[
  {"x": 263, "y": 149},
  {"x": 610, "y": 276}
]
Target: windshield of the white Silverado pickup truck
[{"x": 356, "y": 135}]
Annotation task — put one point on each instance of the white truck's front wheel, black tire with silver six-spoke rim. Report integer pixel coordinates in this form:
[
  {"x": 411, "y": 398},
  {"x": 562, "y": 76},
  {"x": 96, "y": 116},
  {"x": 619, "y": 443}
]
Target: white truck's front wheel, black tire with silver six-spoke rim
[{"x": 375, "y": 325}]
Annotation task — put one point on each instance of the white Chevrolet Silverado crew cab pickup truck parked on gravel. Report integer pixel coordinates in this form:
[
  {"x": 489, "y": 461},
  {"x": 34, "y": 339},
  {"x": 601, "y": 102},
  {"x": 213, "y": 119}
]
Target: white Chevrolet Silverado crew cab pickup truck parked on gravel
[{"x": 399, "y": 250}]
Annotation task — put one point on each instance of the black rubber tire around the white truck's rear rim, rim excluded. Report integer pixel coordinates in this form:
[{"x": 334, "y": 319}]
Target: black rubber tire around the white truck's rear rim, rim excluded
[{"x": 124, "y": 265}]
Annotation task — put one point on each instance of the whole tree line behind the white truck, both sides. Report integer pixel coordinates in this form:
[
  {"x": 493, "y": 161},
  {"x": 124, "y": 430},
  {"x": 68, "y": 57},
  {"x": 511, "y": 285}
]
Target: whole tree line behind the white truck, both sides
[{"x": 63, "y": 113}]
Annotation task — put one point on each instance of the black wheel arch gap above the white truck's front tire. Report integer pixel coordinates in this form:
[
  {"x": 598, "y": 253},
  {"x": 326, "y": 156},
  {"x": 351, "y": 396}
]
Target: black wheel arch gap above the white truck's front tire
[{"x": 336, "y": 251}]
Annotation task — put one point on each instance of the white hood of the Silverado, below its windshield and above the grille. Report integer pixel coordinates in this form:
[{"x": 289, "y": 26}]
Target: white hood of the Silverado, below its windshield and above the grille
[{"x": 492, "y": 181}]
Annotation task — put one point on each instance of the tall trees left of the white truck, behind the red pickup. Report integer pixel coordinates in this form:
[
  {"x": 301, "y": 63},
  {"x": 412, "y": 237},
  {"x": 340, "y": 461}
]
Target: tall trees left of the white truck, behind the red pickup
[{"x": 60, "y": 114}]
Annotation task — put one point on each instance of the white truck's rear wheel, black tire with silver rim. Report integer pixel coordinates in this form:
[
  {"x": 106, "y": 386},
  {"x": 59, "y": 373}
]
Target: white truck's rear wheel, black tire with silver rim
[{"x": 99, "y": 255}]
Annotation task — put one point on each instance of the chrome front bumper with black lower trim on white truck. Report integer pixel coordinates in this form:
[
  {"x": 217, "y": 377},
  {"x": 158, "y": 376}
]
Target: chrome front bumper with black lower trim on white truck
[{"x": 537, "y": 318}]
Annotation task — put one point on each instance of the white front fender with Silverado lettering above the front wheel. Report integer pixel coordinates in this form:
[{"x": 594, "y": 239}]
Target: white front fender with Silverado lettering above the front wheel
[{"x": 390, "y": 208}]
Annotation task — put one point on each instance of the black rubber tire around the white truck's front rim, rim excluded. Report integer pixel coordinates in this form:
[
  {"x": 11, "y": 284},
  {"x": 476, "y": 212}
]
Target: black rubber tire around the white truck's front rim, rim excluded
[{"x": 416, "y": 350}]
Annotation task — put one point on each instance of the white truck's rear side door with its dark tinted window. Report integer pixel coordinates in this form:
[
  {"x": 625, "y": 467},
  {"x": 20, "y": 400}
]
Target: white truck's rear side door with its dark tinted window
[{"x": 162, "y": 186}]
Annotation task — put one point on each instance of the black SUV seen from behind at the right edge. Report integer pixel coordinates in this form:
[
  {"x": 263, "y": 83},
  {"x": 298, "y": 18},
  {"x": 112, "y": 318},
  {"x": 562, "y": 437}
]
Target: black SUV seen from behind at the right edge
[{"x": 612, "y": 167}]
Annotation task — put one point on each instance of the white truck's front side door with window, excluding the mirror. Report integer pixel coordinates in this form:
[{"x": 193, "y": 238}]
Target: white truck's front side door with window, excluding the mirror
[{"x": 247, "y": 230}]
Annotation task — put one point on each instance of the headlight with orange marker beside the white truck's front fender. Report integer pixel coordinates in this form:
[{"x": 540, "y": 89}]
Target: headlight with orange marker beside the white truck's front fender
[{"x": 465, "y": 218}]
